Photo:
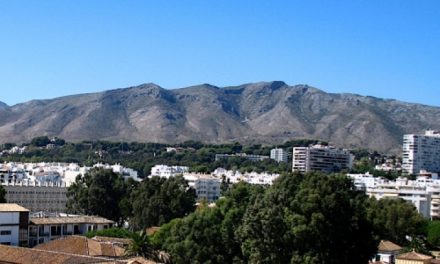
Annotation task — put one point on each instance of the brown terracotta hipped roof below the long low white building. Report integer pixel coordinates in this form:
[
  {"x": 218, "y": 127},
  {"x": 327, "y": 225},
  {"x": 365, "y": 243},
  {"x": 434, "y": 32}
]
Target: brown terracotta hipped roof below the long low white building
[{"x": 83, "y": 246}]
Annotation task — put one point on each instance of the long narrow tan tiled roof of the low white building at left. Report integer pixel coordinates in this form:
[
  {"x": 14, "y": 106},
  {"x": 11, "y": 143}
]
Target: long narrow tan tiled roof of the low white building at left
[{"x": 70, "y": 220}]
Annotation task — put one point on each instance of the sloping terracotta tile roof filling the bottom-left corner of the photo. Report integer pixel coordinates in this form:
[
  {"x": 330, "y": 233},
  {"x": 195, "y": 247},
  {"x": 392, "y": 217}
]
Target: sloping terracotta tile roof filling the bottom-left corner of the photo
[{"x": 19, "y": 255}]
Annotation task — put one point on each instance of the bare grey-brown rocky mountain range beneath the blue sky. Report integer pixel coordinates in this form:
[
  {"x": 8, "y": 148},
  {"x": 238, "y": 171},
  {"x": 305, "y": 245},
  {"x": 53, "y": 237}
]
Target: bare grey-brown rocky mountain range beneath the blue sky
[{"x": 263, "y": 112}]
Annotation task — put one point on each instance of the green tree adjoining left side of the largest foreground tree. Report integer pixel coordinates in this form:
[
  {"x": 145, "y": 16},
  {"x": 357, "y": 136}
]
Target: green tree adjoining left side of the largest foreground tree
[{"x": 208, "y": 235}]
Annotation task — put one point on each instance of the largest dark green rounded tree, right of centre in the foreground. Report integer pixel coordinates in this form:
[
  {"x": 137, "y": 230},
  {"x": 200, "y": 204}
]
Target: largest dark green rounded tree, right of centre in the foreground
[{"x": 311, "y": 218}]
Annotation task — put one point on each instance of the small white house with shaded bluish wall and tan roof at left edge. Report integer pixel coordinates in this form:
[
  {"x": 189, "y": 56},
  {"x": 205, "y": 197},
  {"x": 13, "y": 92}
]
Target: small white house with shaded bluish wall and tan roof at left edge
[{"x": 14, "y": 221}]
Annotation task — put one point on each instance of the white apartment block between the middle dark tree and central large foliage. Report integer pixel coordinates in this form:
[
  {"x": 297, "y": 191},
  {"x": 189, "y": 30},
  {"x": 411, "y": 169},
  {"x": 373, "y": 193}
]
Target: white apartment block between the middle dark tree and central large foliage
[{"x": 207, "y": 186}]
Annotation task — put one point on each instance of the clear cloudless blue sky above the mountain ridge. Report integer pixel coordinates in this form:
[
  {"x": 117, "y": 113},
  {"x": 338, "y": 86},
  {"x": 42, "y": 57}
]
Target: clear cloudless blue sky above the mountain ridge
[{"x": 388, "y": 49}]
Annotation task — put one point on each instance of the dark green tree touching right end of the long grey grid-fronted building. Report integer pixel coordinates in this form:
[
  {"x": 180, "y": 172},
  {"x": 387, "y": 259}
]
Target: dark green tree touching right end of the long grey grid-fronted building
[{"x": 98, "y": 192}]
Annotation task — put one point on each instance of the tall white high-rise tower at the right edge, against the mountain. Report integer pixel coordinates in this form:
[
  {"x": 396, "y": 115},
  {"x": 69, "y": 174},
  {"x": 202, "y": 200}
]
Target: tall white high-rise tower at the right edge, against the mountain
[{"x": 421, "y": 152}]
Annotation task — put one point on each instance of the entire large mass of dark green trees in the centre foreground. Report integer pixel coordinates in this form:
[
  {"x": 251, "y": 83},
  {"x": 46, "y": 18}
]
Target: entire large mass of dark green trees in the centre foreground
[{"x": 312, "y": 218}]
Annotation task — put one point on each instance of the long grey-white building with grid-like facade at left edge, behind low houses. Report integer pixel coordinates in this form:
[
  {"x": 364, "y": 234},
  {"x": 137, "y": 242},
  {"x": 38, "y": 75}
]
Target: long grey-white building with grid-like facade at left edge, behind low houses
[{"x": 36, "y": 197}]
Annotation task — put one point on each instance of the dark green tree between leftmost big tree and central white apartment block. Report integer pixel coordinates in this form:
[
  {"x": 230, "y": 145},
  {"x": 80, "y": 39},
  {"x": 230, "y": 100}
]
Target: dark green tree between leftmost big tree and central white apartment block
[{"x": 159, "y": 200}]
